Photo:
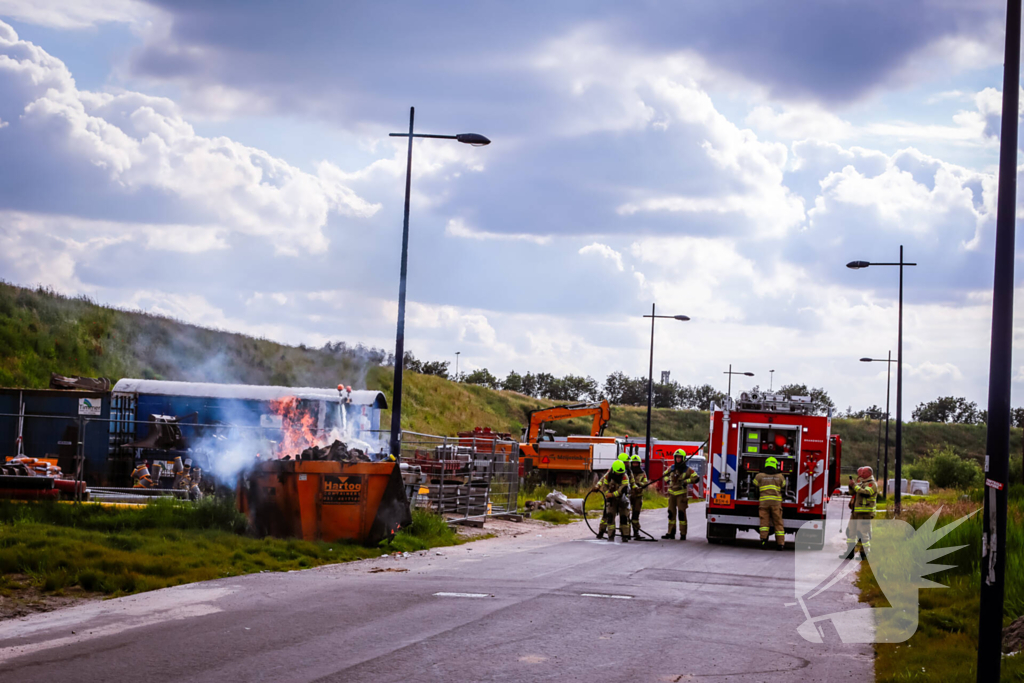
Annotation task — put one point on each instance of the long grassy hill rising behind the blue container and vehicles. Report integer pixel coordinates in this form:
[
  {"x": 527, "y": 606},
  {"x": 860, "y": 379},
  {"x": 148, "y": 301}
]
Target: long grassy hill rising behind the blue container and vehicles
[{"x": 44, "y": 332}]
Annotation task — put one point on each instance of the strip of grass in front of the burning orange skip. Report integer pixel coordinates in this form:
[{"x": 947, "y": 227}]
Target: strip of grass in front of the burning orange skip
[{"x": 118, "y": 551}]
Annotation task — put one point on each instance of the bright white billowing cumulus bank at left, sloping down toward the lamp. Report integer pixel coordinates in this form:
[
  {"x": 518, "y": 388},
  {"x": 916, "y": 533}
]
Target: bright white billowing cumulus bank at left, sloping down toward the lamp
[{"x": 132, "y": 156}]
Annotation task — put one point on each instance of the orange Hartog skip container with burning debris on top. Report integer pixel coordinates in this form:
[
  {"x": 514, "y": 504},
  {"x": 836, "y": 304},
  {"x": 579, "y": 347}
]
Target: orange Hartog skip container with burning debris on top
[{"x": 326, "y": 500}]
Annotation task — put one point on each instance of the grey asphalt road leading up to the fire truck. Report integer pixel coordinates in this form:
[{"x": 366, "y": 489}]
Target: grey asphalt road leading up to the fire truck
[{"x": 551, "y": 605}]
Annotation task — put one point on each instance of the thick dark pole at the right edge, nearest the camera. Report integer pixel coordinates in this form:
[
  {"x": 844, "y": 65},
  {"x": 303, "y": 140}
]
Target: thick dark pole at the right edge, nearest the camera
[{"x": 994, "y": 535}]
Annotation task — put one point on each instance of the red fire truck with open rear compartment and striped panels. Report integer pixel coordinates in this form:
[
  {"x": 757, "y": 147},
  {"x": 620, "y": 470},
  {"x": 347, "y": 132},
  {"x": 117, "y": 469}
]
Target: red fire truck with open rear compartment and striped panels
[{"x": 758, "y": 428}]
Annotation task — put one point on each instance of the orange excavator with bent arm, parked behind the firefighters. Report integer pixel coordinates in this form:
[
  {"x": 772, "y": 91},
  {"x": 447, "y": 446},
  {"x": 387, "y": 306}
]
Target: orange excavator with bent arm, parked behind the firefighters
[{"x": 575, "y": 458}]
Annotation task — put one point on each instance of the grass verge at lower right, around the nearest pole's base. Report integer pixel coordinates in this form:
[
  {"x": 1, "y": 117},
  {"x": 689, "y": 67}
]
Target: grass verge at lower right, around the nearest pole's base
[{"x": 945, "y": 648}]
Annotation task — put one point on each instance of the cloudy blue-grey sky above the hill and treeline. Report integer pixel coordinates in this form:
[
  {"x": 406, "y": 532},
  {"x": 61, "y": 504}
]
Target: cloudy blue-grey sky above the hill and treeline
[{"x": 229, "y": 164}]
